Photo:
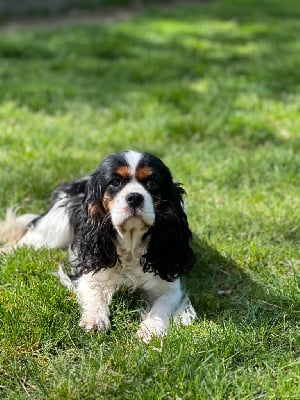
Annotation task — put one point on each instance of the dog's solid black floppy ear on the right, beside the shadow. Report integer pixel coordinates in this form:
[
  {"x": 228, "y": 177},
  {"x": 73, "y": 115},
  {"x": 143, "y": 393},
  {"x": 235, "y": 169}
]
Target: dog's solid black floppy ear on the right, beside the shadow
[{"x": 169, "y": 253}]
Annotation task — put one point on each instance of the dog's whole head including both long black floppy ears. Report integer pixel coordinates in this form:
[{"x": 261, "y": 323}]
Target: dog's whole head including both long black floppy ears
[{"x": 128, "y": 192}]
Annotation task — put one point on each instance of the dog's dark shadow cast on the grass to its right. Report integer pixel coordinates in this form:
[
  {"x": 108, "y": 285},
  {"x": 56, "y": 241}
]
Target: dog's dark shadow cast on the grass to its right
[{"x": 221, "y": 291}]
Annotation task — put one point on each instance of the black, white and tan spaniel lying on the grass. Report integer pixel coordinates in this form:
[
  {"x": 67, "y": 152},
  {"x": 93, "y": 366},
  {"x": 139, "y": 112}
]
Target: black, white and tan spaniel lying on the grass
[{"x": 124, "y": 225}]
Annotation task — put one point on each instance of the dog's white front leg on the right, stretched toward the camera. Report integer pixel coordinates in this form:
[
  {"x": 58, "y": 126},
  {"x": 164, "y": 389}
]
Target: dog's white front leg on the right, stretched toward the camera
[{"x": 164, "y": 300}]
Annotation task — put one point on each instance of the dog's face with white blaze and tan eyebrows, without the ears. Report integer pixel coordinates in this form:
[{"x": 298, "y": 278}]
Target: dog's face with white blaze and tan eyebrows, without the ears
[{"x": 131, "y": 186}]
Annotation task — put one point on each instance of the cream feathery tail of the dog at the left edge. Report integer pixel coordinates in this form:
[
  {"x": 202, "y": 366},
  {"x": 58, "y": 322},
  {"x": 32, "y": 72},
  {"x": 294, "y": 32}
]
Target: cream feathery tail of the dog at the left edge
[{"x": 13, "y": 228}]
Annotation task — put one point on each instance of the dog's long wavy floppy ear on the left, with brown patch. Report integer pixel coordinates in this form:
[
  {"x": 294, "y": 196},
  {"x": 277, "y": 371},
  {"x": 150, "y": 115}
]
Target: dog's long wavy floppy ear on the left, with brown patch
[{"x": 93, "y": 245}]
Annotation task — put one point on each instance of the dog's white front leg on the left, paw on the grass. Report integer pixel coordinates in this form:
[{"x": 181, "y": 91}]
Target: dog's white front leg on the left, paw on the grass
[{"x": 94, "y": 297}]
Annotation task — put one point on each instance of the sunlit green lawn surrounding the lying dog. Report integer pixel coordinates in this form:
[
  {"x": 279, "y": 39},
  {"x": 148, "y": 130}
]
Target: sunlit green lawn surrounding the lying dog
[{"x": 213, "y": 89}]
